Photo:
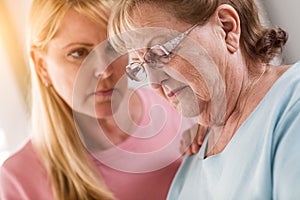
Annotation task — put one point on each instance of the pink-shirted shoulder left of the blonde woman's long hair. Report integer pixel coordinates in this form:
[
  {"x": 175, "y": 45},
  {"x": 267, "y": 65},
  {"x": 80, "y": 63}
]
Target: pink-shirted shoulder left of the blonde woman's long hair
[{"x": 22, "y": 176}]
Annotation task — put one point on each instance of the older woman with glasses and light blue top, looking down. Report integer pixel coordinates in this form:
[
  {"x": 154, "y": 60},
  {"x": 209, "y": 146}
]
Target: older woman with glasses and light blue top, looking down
[{"x": 211, "y": 59}]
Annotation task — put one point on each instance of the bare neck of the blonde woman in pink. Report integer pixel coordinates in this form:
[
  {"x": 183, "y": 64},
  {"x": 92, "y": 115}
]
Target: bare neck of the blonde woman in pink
[{"x": 99, "y": 134}]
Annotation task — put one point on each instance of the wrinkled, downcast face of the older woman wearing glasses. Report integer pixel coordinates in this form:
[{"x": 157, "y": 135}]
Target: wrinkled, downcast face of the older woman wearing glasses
[{"x": 185, "y": 77}]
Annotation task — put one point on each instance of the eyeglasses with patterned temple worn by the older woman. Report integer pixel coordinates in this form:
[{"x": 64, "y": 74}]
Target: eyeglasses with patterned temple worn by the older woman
[{"x": 156, "y": 57}]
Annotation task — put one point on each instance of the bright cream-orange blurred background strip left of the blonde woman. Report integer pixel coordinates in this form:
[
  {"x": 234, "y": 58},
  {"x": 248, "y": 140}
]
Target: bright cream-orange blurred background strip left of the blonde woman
[{"x": 14, "y": 79}]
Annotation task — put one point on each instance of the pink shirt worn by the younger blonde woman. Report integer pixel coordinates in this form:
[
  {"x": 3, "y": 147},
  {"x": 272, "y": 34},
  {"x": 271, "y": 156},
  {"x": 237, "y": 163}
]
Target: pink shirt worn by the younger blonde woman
[{"x": 141, "y": 168}]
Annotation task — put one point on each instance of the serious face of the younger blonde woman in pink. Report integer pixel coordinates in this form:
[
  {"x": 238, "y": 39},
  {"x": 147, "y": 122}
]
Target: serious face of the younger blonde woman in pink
[{"x": 75, "y": 39}]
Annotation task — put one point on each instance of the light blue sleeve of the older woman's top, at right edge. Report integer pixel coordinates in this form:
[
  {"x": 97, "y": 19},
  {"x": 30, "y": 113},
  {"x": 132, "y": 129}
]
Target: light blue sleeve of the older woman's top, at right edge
[{"x": 286, "y": 136}]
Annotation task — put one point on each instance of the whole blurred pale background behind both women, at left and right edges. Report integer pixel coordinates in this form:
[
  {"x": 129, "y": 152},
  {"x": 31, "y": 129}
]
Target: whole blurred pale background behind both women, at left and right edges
[{"x": 14, "y": 78}]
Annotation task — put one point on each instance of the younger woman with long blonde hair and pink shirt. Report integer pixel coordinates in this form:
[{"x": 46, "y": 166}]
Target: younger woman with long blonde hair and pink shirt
[{"x": 65, "y": 157}]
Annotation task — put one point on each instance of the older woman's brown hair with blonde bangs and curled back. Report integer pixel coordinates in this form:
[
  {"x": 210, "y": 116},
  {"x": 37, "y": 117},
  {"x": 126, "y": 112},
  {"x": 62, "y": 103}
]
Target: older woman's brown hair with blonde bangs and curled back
[{"x": 258, "y": 42}]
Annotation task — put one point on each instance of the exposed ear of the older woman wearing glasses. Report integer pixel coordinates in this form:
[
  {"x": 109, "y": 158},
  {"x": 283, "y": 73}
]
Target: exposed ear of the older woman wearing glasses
[{"x": 230, "y": 22}]
